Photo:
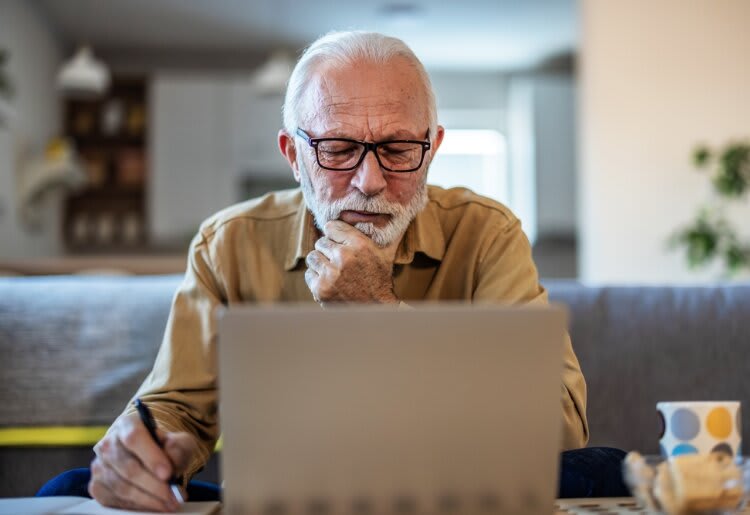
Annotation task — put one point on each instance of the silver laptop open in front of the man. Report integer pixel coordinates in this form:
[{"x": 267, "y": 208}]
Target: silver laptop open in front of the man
[{"x": 450, "y": 409}]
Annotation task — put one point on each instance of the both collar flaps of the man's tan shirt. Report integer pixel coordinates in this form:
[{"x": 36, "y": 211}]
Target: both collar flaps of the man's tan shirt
[{"x": 424, "y": 235}]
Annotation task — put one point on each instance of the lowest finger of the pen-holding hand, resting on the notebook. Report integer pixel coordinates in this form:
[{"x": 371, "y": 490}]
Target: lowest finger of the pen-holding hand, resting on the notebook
[{"x": 111, "y": 489}]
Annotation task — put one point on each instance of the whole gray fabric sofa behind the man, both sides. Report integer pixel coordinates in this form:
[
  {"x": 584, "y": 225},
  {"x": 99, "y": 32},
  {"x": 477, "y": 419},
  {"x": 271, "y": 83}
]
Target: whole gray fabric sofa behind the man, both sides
[{"x": 74, "y": 349}]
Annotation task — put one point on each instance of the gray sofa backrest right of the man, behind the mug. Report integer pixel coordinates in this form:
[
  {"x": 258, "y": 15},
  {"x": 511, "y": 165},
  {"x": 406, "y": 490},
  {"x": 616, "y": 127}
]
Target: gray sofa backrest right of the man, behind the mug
[{"x": 641, "y": 345}]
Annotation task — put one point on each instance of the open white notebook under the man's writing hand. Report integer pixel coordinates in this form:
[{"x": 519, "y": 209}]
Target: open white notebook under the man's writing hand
[{"x": 85, "y": 506}]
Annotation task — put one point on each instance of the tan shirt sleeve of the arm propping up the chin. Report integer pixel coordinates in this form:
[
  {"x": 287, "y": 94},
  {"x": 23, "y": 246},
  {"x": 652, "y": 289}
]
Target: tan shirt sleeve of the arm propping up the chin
[{"x": 506, "y": 272}]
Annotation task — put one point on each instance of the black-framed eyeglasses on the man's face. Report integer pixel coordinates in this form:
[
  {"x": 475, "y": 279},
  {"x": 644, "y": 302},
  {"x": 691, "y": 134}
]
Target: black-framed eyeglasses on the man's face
[{"x": 343, "y": 154}]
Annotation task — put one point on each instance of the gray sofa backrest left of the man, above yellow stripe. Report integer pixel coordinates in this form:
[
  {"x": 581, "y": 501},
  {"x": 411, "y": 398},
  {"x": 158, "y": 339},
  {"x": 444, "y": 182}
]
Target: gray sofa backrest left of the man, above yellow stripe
[{"x": 74, "y": 349}]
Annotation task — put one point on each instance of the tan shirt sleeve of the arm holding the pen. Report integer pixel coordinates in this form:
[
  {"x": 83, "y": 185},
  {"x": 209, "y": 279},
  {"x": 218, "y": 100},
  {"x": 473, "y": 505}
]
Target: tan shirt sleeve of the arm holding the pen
[{"x": 181, "y": 390}]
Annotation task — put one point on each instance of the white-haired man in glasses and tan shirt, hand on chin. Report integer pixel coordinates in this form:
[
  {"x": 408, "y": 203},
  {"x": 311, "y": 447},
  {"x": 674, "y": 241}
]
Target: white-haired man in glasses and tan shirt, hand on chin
[{"x": 360, "y": 131}]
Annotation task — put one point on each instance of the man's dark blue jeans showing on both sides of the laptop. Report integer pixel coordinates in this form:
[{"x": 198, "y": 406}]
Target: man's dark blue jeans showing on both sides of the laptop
[{"x": 589, "y": 472}]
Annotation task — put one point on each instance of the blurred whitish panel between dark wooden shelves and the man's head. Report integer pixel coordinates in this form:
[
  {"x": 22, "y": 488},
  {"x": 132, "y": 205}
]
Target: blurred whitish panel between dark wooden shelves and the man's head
[{"x": 189, "y": 141}]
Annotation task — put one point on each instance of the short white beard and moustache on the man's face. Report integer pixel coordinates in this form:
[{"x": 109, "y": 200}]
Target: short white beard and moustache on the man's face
[{"x": 401, "y": 215}]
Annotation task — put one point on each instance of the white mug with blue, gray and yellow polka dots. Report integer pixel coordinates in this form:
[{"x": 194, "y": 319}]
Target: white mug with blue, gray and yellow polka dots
[{"x": 700, "y": 427}]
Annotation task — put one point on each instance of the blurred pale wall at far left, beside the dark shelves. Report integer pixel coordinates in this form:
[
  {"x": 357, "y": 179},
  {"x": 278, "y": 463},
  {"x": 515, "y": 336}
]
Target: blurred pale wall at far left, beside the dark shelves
[{"x": 35, "y": 55}]
